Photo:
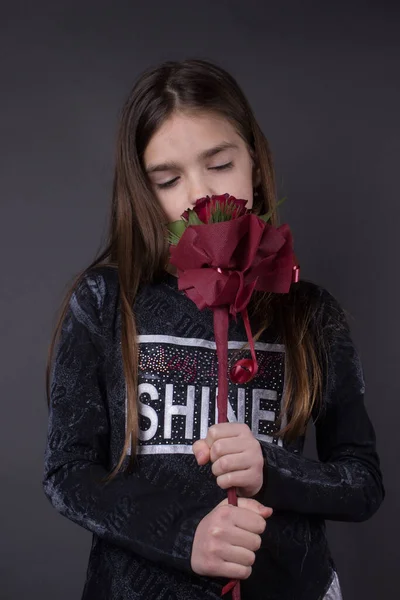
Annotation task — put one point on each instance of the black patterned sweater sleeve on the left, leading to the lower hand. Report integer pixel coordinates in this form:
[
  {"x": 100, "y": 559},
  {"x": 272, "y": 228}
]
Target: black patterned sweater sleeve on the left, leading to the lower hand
[{"x": 130, "y": 512}]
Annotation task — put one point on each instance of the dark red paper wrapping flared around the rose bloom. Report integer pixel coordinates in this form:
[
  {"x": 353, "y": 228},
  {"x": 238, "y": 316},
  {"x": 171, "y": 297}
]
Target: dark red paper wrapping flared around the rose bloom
[{"x": 221, "y": 264}]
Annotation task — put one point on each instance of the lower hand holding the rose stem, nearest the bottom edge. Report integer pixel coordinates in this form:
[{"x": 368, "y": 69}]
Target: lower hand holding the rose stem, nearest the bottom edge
[{"x": 227, "y": 538}]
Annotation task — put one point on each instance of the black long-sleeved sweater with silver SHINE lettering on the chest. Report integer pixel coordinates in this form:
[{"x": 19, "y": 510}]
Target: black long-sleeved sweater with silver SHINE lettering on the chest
[{"x": 143, "y": 523}]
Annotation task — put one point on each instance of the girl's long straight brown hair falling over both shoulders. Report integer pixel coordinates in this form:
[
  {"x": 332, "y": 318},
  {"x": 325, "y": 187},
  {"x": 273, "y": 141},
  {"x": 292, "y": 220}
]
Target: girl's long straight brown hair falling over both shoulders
[{"x": 137, "y": 243}]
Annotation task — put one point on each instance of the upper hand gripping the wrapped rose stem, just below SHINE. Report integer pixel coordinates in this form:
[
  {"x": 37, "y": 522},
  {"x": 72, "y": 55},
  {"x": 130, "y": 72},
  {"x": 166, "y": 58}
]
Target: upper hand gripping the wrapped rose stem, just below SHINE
[{"x": 236, "y": 456}]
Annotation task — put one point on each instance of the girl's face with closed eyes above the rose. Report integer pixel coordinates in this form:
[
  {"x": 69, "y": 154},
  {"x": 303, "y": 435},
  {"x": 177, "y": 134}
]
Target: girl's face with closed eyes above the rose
[{"x": 196, "y": 155}]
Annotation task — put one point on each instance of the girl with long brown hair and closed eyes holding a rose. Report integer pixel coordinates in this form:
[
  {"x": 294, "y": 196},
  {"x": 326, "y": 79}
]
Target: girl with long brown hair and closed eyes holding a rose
[{"x": 132, "y": 452}]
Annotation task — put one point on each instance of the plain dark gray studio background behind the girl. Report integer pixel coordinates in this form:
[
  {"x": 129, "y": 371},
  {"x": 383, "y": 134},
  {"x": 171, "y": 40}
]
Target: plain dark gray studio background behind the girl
[{"x": 323, "y": 78}]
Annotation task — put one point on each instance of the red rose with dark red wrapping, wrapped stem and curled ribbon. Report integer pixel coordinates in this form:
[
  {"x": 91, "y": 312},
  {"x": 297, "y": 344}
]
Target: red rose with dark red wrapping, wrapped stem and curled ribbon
[{"x": 220, "y": 263}]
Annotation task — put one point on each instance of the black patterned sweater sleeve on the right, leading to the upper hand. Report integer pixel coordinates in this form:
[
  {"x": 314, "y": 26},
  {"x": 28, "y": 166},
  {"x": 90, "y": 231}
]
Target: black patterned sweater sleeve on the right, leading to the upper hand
[{"x": 345, "y": 483}]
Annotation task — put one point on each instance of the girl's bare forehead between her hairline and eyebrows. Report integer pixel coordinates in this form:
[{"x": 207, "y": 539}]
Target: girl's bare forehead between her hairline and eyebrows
[{"x": 186, "y": 135}]
